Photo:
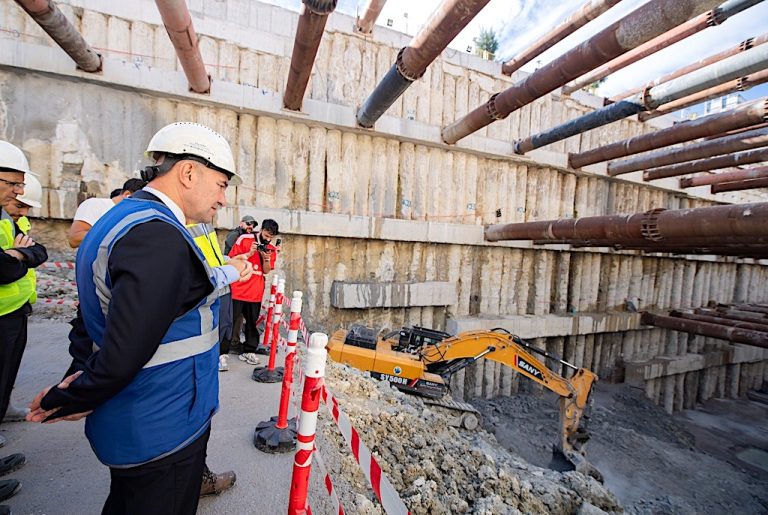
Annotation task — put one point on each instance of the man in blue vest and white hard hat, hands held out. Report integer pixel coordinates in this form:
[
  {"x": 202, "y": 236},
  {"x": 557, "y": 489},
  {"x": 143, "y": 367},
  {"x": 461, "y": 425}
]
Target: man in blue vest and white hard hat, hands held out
[{"x": 145, "y": 341}]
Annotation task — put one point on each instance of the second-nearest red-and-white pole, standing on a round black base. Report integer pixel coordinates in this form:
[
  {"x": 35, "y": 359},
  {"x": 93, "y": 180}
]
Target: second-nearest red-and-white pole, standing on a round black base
[{"x": 278, "y": 434}]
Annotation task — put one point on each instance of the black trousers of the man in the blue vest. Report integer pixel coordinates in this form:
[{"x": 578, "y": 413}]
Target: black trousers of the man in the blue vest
[{"x": 169, "y": 486}]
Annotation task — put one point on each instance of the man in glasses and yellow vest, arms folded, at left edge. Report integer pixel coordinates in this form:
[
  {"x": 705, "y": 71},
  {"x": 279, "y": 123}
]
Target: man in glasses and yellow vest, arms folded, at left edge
[{"x": 19, "y": 255}]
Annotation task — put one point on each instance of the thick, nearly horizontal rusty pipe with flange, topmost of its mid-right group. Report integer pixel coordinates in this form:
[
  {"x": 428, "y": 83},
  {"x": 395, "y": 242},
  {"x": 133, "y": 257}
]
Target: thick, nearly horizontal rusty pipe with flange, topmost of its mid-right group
[{"x": 747, "y": 220}]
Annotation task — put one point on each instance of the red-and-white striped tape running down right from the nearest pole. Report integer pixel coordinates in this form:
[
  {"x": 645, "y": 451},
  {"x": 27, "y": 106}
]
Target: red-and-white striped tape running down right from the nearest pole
[{"x": 385, "y": 492}]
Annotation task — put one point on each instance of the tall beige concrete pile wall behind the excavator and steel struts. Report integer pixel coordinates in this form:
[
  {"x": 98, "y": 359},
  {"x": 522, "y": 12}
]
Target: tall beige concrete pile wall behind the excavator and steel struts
[{"x": 391, "y": 205}]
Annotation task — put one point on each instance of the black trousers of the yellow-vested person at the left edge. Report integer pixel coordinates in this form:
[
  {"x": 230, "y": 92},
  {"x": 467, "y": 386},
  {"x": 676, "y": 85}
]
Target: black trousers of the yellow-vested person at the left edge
[{"x": 13, "y": 340}]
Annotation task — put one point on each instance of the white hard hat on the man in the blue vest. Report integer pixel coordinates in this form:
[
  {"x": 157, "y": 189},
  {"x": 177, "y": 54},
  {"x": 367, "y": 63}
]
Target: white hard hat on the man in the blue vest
[{"x": 198, "y": 140}]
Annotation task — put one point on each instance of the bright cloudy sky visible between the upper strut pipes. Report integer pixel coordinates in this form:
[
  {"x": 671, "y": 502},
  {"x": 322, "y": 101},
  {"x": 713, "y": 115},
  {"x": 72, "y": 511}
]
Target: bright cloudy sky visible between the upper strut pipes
[{"x": 520, "y": 22}]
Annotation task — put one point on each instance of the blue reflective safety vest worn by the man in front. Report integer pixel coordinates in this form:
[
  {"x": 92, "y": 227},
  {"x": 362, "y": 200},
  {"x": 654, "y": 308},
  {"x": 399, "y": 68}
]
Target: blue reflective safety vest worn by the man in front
[{"x": 170, "y": 402}]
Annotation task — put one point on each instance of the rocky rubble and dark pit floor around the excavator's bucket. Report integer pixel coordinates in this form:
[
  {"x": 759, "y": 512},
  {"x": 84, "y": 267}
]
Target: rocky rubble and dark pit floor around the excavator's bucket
[{"x": 652, "y": 462}]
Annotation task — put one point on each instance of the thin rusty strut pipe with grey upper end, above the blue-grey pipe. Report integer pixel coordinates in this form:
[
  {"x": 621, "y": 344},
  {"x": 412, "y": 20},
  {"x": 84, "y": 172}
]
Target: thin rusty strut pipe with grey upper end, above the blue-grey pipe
[{"x": 705, "y": 20}]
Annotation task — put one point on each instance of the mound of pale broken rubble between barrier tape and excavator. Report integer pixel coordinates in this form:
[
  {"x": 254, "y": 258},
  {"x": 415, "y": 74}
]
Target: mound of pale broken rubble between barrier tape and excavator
[{"x": 437, "y": 468}]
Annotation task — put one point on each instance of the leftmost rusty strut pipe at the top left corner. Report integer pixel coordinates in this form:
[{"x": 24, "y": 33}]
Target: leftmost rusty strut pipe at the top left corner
[{"x": 56, "y": 25}]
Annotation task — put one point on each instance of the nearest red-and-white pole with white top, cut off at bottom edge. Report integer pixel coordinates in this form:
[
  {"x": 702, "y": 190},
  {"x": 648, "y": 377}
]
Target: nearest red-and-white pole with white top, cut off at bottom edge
[{"x": 314, "y": 371}]
